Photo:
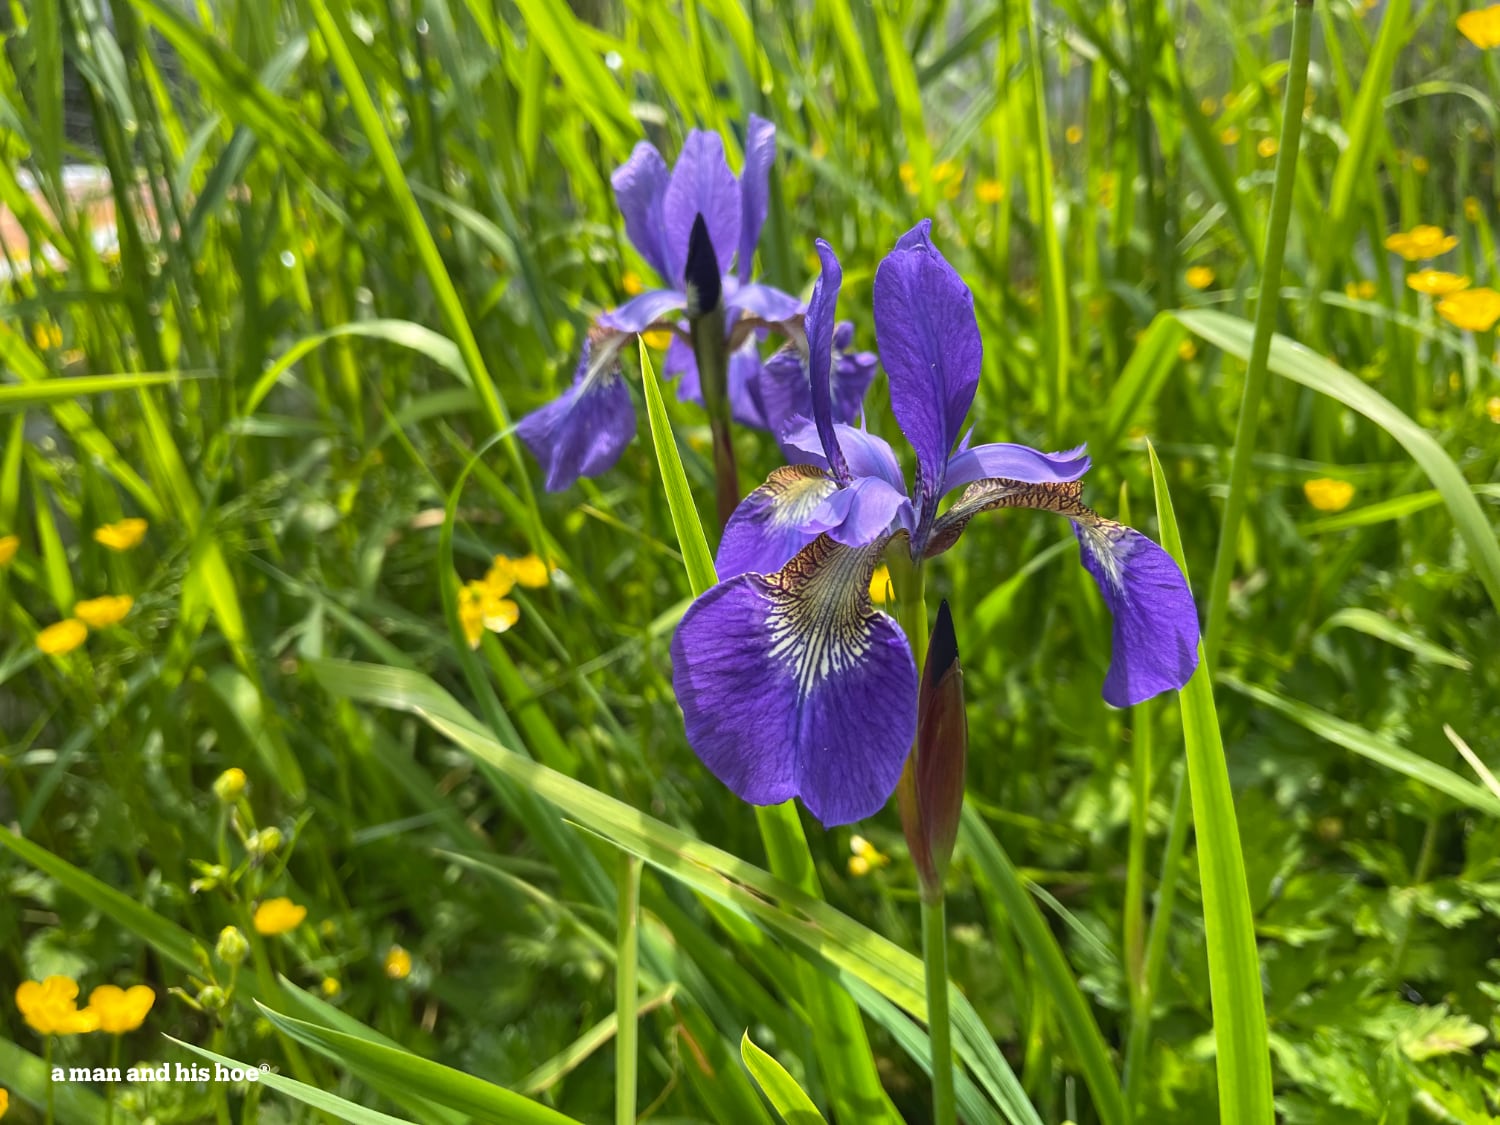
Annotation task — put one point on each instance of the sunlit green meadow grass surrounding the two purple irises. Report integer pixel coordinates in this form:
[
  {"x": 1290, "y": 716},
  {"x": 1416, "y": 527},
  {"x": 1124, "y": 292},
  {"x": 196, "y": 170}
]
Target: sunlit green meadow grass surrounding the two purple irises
[{"x": 338, "y": 247}]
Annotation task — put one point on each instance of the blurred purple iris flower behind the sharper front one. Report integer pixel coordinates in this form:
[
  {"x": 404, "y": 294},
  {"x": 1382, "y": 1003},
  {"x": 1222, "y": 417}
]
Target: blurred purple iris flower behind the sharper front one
[{"x": 584, "y": 431}]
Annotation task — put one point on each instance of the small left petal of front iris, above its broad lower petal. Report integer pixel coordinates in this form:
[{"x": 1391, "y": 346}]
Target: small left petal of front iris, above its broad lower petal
[{"x": 772, "y": 524}]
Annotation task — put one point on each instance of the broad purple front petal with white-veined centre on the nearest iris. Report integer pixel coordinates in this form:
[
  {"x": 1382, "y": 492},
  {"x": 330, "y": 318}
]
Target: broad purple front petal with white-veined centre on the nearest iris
[{"x": 793, "y": 686}]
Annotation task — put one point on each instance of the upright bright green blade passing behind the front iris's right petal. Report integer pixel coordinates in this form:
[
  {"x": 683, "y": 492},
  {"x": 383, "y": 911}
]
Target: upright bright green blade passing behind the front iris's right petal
[{"x": 1240, "y": 1010}]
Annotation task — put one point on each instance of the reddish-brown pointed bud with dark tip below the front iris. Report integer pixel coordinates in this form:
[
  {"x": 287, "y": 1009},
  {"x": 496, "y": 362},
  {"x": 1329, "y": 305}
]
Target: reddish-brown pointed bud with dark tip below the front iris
[{"x": 932, "y": 791}]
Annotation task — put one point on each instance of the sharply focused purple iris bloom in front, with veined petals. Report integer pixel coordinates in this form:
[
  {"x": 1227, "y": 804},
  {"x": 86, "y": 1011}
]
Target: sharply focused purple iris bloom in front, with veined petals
[{"x": 791, "y": 683}]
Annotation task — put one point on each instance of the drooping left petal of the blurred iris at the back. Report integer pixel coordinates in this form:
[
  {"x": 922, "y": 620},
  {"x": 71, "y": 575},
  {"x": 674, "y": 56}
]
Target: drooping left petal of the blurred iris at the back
[{"x": 584, "y": 431}]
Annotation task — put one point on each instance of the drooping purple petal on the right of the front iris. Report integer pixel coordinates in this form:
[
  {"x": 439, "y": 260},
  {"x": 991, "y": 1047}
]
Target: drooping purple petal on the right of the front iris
[{"x": 1156, "y": 643}]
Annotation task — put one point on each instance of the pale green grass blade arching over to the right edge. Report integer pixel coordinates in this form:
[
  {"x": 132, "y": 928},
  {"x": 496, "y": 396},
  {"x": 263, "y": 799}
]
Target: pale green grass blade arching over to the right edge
[{"x": 1292, "y": 361}]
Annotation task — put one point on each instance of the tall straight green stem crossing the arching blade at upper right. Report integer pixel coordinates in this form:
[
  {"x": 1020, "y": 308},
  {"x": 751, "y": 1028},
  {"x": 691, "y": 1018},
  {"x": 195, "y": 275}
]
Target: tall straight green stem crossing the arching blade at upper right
[{"x": 1256, "y": 373}]
